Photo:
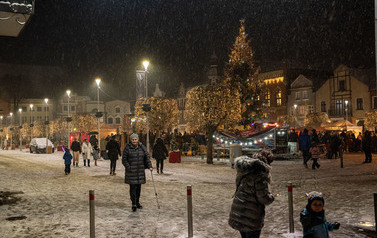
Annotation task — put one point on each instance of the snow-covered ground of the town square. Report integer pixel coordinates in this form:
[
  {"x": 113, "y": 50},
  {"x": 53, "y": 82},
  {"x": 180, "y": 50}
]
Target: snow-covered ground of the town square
[{"x": 56, "y": 205}]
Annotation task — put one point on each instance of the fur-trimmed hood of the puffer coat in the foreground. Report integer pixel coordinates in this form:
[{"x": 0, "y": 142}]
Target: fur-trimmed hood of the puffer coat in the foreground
[{"x": 245, "y": 164}]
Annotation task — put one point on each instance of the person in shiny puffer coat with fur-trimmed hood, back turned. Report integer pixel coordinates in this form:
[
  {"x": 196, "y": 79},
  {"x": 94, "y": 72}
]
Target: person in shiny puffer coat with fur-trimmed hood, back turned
[{"x": 252, "y": 194}]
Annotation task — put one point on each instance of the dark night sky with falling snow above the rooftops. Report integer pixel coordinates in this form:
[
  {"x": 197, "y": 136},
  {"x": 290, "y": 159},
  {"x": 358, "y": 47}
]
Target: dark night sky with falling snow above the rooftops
[{"x": 90, "y": 38}]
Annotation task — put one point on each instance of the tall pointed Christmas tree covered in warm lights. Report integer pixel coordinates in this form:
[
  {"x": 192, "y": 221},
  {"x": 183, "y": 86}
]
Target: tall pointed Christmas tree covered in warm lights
[{"x": 242, "y": 73}]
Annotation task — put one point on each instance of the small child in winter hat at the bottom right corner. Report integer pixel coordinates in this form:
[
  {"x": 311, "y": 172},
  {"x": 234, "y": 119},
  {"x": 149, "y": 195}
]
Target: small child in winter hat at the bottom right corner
[{"x": 313, "y": 218}]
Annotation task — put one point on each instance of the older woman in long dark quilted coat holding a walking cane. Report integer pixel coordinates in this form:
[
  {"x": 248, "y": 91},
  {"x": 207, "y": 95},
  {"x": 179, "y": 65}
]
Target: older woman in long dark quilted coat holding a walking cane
[{"x": 135, "y": 159}]
